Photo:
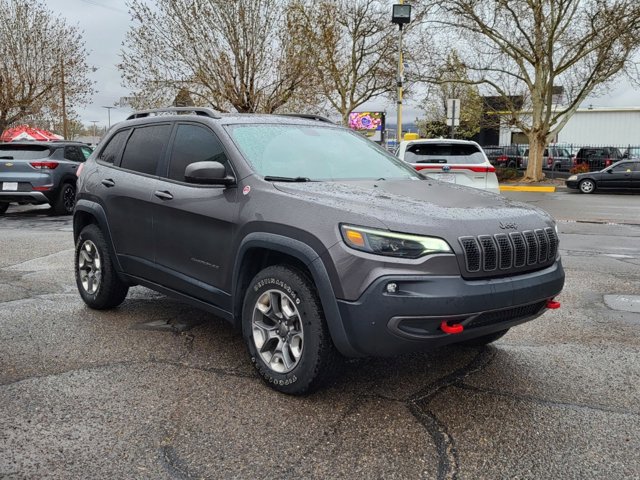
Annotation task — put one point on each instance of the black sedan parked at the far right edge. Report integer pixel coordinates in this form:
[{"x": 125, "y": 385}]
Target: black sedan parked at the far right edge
[{"x": 623, "y": 175}]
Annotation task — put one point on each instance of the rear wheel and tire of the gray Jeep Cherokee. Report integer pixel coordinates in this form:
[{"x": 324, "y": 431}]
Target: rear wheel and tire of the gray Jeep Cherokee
[{"x": 110, "y": 290}]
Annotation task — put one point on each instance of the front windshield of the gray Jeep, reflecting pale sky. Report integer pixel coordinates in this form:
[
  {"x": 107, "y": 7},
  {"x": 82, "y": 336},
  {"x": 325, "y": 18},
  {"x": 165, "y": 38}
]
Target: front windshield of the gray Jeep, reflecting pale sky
[{"x": 315, "y": 153}]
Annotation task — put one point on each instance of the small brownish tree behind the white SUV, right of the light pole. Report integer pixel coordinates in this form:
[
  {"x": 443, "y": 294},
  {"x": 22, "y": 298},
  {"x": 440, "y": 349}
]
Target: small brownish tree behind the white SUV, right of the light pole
[{"x": 453, "y": 82}]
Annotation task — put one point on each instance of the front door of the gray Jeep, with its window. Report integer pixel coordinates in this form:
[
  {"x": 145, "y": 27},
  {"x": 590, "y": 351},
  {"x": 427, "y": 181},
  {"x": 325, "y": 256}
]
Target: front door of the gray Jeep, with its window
[{"x": 194, "y": 224}]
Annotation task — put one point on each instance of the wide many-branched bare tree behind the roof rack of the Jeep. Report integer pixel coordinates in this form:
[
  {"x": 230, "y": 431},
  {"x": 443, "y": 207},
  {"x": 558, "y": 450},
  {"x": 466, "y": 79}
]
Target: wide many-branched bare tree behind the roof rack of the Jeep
[{"x": 242, "y": 55}]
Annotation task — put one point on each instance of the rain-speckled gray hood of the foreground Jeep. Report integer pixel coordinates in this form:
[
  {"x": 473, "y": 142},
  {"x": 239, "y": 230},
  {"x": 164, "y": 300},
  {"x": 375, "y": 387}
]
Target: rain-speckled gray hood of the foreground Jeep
[{"x": 424, "y": 207}]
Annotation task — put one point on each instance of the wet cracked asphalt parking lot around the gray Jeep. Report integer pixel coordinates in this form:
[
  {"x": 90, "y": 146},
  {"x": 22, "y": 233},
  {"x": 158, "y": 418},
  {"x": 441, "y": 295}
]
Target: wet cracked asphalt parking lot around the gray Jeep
[{"x": 157, "y": 389}]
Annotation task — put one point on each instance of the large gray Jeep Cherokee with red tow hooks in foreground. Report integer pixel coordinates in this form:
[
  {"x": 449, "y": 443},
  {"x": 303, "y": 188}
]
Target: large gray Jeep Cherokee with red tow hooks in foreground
[{"x": 308, "y": 237}]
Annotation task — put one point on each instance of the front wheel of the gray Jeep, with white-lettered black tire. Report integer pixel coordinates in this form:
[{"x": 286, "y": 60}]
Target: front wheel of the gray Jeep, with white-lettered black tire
[{"x": 317, "y": 355}]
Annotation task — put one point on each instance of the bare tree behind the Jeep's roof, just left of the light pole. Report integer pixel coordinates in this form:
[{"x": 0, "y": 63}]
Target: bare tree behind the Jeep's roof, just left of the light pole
[{"x": 354, "y": 51}]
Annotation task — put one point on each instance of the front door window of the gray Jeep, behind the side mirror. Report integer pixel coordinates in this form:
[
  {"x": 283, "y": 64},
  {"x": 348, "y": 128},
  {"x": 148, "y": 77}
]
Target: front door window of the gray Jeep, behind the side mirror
[{"x": 194, "y": 143}]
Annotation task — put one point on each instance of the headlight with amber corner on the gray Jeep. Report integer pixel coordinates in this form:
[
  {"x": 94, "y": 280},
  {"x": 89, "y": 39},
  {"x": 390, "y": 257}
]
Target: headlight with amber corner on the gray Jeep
[{"x": 392, "y": 244}]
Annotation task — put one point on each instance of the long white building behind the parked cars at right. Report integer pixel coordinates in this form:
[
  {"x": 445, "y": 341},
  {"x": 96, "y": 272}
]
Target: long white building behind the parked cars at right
[{"x": 594, "y": 126}]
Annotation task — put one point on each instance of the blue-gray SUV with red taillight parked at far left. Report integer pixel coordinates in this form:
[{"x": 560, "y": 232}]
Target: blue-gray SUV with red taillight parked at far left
[{"x": 40, "y": 172}]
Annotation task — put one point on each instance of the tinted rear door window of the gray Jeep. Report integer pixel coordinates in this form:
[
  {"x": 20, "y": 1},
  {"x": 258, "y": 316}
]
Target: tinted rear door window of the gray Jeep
[{"x": 145, "y": 148}]
